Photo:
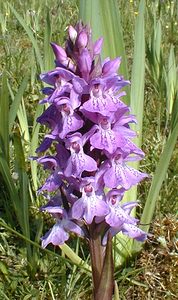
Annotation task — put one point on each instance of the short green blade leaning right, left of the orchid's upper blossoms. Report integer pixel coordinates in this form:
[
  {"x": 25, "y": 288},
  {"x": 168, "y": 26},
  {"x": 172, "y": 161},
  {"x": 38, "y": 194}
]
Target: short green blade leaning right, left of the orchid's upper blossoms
[{"x": 16, "y": 102}]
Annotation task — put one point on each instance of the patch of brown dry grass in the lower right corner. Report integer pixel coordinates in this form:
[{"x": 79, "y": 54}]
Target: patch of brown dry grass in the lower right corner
[{"x": 160, "y": 263}]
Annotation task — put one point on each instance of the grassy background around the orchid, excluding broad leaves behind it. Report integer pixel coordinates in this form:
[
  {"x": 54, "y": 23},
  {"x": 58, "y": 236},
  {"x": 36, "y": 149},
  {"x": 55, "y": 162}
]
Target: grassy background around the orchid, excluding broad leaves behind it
[{"x": 26, "y": 270}]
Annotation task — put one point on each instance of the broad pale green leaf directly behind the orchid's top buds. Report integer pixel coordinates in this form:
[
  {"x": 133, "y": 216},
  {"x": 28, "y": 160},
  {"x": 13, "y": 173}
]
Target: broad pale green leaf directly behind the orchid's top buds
[{"x": 104, "y": 19}]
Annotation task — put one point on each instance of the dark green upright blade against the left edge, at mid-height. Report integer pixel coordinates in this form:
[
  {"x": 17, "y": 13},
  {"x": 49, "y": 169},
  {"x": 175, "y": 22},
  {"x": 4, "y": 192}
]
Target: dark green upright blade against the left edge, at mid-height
[{"x": 4, "y": 118}]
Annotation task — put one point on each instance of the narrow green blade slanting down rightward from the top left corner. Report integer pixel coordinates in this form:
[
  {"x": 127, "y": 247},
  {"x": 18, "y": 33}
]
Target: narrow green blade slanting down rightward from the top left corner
[{"x": 30, "y": 35}]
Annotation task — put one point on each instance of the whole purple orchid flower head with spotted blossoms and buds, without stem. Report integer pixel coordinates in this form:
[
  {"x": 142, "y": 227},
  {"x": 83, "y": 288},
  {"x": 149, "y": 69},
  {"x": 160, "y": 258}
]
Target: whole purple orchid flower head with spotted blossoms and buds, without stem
[{"x": 88, "y": 142}]
